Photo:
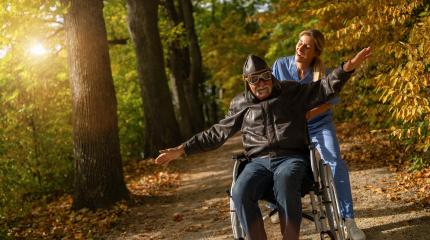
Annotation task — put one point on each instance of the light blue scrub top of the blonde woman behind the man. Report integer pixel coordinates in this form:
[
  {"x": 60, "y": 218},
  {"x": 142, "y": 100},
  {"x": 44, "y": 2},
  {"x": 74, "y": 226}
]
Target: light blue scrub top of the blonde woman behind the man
[{"x": 285, "y": 69}]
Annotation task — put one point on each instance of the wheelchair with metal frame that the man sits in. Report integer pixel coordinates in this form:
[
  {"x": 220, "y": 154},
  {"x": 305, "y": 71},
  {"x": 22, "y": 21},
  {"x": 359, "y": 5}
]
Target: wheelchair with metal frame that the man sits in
[{"x": 325, "y": 208}]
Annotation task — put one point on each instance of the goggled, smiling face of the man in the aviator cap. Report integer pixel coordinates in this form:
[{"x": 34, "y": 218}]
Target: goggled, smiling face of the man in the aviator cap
[{"x": 260, "y": 84}]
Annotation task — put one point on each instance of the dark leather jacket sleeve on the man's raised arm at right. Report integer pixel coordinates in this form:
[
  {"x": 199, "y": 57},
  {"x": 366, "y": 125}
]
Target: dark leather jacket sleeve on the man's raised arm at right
[{"x": 316, "y": 93}]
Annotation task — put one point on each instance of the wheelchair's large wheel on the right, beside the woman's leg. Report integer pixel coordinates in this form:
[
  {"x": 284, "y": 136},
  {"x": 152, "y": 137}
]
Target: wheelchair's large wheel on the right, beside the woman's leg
[{"x": 336, "y": 222}]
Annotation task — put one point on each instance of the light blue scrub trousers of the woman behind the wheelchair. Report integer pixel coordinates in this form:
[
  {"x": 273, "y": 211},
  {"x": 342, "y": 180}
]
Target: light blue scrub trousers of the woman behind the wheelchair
[{"x": 328, "y": 147}]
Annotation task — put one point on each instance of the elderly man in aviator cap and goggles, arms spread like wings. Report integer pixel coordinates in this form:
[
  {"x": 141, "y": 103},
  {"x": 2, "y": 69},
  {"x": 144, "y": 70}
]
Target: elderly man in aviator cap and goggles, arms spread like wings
[{"x": 271, "y": 116}]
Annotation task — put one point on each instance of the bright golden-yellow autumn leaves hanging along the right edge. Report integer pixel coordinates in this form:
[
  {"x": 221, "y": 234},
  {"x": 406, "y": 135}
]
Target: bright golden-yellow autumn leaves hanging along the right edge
[{"x": 399, "y": 73}]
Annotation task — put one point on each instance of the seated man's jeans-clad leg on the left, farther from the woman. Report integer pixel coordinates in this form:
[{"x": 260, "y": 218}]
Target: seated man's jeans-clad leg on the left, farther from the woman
[{"x": 248, "y": 189}]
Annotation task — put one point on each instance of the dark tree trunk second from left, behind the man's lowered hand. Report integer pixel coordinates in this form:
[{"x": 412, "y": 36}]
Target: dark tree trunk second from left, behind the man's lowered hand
[{"x": 161, "y": 127}]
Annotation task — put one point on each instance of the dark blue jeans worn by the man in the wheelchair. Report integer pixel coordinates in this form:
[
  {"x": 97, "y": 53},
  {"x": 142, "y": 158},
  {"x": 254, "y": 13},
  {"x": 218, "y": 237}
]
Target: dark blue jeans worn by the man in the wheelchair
[{"x": 285, "y": 176}]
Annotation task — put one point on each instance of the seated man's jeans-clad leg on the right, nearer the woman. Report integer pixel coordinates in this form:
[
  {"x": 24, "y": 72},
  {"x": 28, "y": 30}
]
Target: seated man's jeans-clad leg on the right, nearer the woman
[{"x": 288, "y": 178}]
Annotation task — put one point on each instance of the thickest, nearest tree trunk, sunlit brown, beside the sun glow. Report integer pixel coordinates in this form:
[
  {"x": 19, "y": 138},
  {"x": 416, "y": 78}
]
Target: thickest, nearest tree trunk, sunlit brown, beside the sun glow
[{"x": 99, "y": 180}]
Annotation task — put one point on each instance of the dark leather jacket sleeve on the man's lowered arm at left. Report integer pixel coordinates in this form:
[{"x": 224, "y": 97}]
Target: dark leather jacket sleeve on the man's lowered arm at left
[{"x": 218, "y": 133}]
